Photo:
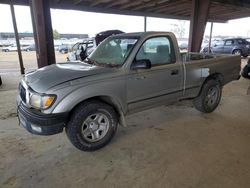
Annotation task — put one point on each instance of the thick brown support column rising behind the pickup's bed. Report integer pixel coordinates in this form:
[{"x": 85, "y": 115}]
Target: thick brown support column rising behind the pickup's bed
[{"x": 199, "y": 16}]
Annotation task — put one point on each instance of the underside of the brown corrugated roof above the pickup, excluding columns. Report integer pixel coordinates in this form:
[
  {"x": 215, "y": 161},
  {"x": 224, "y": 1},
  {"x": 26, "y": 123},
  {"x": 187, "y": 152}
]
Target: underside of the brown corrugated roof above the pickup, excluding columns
[{"x": 220, "y": 10}]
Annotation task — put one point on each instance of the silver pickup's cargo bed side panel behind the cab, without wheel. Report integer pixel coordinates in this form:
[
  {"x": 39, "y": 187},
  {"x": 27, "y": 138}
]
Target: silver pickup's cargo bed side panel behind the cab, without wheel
[{"x": 199, "y": 67}]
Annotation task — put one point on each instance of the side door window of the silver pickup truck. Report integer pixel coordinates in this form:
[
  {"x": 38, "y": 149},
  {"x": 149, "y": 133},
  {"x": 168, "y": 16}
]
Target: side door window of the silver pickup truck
[{"x": 159, "y": 50}]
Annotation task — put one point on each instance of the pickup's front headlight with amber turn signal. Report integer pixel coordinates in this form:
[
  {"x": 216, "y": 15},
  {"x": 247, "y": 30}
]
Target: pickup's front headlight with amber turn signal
[{"x": 41, "y": 101}]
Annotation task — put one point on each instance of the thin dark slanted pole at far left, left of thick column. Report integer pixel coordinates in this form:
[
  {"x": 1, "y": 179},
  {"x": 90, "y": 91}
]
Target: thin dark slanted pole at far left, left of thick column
[{"x": 17, "y": 38}]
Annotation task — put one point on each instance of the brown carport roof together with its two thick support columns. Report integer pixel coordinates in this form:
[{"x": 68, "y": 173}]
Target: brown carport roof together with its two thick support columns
[{"x": 197, "y": 11}]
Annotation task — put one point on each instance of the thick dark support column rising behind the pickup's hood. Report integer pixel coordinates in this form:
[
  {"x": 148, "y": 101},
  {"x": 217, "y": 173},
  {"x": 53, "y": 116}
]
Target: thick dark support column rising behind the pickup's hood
[{"x": 43, "y": 32}]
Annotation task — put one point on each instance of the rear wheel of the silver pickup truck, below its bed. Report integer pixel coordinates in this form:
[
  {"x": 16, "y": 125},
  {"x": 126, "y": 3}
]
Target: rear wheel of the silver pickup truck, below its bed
[{"x": 209, "y": 97}]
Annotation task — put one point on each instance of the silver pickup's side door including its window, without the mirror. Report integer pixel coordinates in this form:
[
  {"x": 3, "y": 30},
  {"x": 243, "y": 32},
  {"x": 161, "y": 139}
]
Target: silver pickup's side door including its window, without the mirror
[{"x": 162, "y": 83}]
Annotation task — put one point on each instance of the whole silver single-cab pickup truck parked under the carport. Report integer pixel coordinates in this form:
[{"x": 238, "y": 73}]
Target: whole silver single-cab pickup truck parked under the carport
[{"x": 126, "y": 73}]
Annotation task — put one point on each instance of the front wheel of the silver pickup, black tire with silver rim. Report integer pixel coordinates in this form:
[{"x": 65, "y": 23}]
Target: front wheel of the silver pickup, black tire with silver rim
[{"x": 83, "y": 125}]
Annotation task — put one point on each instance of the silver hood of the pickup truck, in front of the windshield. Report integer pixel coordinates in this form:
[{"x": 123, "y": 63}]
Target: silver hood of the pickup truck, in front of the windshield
[{"x": 44, "y": 78}]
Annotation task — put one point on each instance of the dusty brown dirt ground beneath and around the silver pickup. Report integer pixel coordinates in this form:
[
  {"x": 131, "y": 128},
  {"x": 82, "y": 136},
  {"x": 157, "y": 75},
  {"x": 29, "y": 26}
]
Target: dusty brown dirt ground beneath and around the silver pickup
[{"x": 169, "y": 146}]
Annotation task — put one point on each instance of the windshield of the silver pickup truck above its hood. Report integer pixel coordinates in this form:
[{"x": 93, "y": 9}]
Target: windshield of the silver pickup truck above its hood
[{"x": 113, "y": 51}]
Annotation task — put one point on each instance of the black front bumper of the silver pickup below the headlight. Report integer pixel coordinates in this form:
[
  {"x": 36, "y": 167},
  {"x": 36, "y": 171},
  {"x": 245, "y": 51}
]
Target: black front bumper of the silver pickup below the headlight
[{"x": 39, "y": 123}]
